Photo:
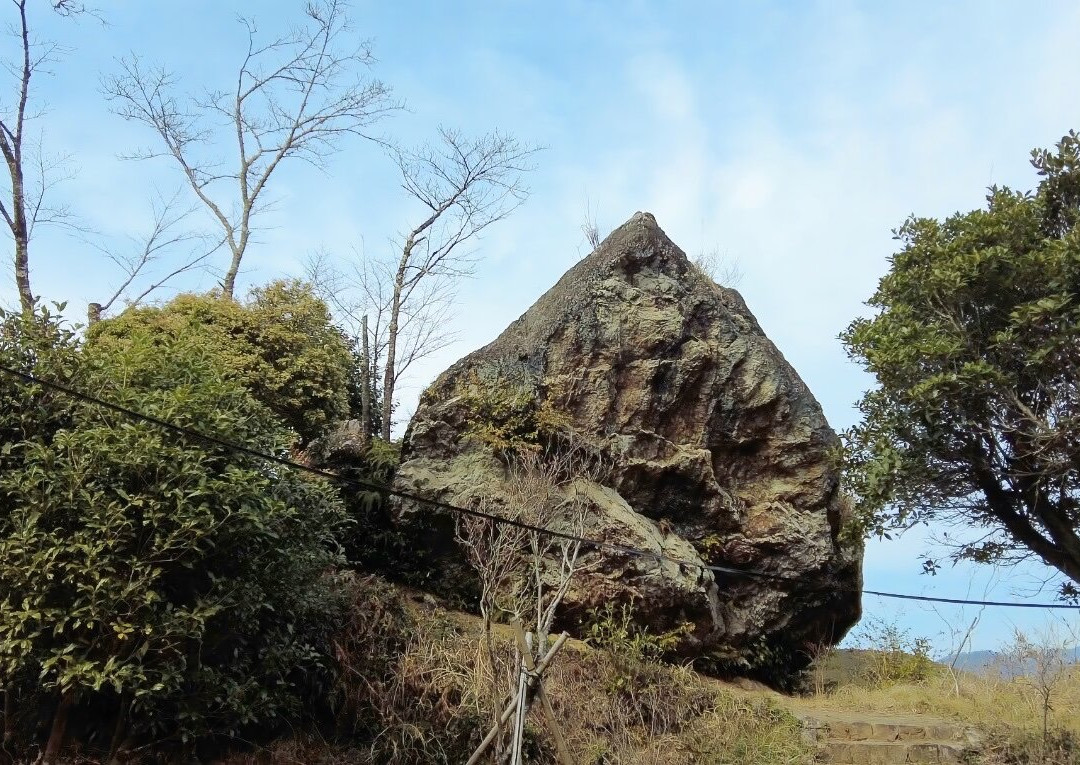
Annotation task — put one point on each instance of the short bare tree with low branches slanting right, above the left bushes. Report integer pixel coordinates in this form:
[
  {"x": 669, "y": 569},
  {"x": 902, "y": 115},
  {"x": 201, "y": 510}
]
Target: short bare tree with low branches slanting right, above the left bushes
[{"x": 167, "y": 235}]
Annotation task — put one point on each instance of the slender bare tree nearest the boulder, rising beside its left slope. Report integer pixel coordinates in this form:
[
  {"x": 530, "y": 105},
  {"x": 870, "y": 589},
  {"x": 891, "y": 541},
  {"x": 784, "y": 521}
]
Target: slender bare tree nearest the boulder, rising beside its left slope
[{"x": 464, "y": 186}]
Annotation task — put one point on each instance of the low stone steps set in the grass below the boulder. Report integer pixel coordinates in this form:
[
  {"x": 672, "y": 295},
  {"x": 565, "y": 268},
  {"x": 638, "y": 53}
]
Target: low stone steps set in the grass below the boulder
[{"x": 872, "y": 740}]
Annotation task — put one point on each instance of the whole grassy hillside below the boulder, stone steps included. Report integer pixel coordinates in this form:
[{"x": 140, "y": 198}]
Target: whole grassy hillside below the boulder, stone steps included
[{"x": 617, "y": 702}]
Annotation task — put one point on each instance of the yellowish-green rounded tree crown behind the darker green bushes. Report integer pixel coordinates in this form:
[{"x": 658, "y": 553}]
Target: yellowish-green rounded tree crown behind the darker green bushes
[{"x": 280, "y": 344}]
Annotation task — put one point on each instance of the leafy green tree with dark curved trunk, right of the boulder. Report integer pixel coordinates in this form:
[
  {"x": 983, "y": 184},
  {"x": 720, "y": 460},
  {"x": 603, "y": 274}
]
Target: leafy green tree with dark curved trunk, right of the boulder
[{"x": 976, "y": 346}]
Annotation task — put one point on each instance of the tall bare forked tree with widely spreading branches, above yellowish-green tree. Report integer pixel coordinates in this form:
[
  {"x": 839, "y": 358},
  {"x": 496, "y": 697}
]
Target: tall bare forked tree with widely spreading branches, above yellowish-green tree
[{"x": 295, "y": 97}]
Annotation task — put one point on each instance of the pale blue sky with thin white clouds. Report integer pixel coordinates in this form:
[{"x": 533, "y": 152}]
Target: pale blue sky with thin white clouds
[{"x": 792, "y": 137}]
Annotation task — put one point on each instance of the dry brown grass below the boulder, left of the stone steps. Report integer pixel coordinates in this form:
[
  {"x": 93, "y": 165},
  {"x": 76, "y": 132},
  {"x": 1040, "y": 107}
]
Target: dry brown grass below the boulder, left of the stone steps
[{"x": 437, "y": 702}]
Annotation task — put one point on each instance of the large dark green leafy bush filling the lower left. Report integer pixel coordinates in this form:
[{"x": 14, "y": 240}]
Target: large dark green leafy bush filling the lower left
[{"x": 185, "y": 587}]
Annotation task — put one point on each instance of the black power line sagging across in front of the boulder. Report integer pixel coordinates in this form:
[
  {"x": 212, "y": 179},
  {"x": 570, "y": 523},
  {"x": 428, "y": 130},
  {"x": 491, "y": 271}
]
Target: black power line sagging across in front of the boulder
[{"x": 370, "y": 486}]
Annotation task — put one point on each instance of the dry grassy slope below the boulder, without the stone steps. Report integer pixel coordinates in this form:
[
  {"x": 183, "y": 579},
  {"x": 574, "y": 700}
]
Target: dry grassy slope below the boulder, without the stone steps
[{"x": 427, "y": 697}]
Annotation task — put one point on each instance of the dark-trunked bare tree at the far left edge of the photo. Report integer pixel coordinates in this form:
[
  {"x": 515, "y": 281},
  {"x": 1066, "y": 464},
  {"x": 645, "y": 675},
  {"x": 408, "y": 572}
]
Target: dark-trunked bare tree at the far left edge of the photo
[{"x": 32, "y": 175}]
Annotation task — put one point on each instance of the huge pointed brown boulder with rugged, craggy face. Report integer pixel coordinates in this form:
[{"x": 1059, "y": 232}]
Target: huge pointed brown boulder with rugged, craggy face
[{"x": 713, "y": 449}]
